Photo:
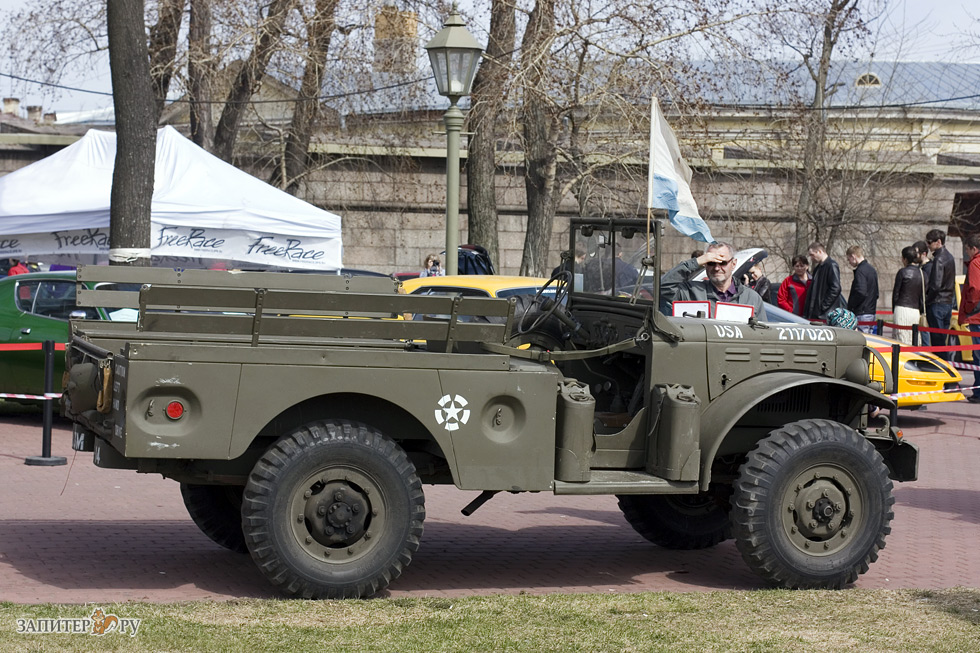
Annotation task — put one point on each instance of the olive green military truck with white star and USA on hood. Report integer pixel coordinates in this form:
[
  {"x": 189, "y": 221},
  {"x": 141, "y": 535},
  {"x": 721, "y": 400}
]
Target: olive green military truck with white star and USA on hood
[{"x": 302, "y": 415}]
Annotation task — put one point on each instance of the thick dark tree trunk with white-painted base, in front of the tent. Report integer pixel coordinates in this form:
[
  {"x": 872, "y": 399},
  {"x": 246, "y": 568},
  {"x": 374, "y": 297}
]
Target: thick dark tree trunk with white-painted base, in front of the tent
[{"x": 132, "y": 176}]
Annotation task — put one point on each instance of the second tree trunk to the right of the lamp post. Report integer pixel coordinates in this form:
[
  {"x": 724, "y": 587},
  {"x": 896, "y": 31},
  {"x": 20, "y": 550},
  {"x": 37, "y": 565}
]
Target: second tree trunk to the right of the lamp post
[{"x": 540, "y": 134}]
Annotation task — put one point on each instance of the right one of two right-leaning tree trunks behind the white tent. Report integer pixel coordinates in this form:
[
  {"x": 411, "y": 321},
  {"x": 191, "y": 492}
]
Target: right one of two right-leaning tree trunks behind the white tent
[{"x": 296, "y": 156}]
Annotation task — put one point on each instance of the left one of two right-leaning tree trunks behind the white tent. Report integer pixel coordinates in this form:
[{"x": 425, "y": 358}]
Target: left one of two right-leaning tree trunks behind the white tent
[{"x": 249, "y": 78}]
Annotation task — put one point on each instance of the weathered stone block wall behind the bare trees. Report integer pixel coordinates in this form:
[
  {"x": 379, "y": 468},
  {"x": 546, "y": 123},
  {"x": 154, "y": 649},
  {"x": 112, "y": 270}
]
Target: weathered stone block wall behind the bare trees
[{"x": 393, "y": 218}]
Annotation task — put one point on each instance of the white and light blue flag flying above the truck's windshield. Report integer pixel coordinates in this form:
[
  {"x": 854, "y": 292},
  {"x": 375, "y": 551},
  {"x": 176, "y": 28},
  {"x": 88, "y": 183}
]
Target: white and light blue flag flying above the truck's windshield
[{"x": 669, "y": 179}]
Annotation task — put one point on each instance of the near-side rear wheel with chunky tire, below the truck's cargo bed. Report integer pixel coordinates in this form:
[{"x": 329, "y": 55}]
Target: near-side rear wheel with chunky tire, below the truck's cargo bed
[{"x": 333, "y": 510}]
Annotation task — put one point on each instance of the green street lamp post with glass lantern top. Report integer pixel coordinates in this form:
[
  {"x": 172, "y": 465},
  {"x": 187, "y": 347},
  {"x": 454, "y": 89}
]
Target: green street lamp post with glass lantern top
[{"x": 454, "y": 55}]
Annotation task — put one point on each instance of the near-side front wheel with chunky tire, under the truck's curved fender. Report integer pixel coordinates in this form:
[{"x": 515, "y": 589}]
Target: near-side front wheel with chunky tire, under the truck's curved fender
[{"x": 812, "y": 506}]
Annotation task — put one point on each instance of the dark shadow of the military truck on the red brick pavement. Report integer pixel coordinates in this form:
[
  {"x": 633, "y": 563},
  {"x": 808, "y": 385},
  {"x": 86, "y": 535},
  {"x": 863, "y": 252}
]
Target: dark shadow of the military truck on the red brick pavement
[{"x": 165, "y": 555}]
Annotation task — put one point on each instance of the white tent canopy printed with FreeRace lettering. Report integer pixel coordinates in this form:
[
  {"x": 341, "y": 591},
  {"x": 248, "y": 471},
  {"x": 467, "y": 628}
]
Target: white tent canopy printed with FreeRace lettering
[{"x": 203, "y": 209}]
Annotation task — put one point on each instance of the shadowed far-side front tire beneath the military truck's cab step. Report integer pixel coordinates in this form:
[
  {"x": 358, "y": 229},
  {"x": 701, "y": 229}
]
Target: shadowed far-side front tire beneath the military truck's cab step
[{"x": 682, "y": 521}]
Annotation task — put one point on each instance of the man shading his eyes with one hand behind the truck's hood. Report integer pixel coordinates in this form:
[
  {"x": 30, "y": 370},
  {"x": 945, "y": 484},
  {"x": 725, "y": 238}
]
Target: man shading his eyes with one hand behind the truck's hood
[{"x": 719, "y": 263}]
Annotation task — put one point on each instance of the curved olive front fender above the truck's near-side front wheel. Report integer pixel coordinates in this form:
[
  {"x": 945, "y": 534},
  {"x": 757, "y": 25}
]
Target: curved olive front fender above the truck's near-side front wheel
[{"x": 725, "y": 412}]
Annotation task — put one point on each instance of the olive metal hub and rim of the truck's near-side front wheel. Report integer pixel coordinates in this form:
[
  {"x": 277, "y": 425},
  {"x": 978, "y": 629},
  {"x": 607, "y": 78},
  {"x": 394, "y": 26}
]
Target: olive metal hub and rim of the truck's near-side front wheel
[{"x": 821, "y": 509}]
